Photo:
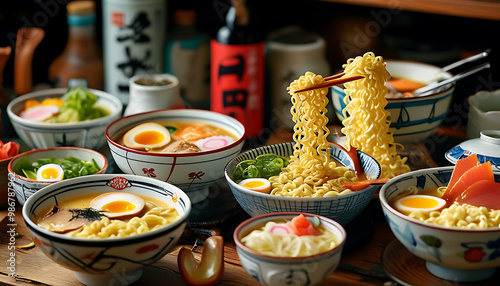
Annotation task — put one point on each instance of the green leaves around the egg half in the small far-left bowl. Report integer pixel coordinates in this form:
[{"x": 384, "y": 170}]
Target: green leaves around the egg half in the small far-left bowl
[{"x": 72, "y": 167}]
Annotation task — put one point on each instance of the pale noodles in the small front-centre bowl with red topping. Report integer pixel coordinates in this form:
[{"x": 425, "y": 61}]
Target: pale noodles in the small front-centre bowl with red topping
[{"x": 289, "y": 245}]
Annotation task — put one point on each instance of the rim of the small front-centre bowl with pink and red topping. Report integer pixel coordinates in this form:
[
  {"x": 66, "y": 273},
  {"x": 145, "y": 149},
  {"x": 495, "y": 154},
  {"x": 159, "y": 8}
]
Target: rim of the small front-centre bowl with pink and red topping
[{"x": 278, "y": 258}]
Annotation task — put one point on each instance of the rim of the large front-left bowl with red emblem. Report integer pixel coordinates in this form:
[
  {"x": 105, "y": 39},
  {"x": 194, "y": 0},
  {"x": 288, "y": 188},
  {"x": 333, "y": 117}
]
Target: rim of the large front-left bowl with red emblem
[{"x": 109, "y": 241}]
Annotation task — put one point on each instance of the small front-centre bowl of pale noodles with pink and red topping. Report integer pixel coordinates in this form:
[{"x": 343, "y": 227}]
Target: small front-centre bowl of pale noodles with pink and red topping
[{"x": 274, "y": 254}]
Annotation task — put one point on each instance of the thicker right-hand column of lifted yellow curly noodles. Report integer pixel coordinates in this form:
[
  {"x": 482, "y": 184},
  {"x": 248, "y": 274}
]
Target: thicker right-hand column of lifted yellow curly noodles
[{"x": 366, "y": 123}]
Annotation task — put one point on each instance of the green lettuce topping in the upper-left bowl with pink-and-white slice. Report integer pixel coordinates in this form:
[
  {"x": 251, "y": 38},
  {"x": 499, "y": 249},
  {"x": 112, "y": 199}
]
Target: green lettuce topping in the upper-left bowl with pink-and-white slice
[{"x": 78, "y": 105}]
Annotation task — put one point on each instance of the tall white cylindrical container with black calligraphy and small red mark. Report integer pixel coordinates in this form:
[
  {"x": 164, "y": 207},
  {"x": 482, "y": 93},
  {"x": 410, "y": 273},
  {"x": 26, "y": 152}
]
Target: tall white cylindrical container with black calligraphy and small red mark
[{"x": 134, "y": 37}]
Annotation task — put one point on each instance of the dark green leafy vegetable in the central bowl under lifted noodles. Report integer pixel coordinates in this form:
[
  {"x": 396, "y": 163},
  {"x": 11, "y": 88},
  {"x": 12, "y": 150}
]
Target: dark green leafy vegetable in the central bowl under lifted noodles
[{"x": 263, "y": 166}]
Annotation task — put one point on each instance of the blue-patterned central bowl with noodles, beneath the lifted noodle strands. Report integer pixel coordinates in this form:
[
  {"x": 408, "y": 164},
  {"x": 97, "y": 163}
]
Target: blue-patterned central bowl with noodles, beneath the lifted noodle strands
[{"x": 290, "y": 194}]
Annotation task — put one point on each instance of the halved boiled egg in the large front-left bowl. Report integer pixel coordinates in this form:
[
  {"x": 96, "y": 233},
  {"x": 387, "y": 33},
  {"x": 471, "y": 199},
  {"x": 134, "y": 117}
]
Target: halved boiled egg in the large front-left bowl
[{"x": 118, "y": 204}]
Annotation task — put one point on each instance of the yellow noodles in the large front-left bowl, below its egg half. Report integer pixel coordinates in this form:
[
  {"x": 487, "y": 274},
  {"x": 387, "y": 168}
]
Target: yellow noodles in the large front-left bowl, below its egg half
[{"x": 104, "y": 228}]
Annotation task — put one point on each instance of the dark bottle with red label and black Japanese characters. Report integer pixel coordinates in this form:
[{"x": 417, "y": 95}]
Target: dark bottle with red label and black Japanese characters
[{"x": 237, "y": 70}]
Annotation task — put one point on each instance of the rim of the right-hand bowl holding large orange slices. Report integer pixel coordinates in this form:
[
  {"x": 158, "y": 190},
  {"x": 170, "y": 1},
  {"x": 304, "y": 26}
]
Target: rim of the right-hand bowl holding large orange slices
[{"x": 385, "y": 203}]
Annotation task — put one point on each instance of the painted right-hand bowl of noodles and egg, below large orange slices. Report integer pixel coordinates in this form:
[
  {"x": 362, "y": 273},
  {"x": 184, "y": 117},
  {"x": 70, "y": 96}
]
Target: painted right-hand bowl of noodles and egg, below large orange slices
[{"x": 458, "y": 242}]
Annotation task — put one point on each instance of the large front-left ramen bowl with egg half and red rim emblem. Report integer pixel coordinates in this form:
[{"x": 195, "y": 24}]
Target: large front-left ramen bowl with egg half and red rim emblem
[{"x": 107, "y": 227}]
